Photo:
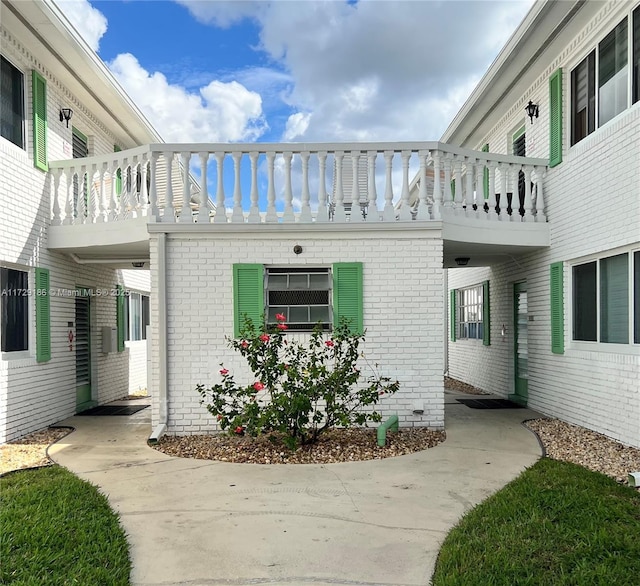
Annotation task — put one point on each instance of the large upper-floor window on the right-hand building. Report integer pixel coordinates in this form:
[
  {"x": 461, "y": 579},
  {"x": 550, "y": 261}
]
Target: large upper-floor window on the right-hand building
[{"x": 600, "y": 83}]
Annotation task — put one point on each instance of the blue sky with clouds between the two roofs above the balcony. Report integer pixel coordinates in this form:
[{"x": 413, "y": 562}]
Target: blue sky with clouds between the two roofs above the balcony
[{"x": 297, "y": 70}]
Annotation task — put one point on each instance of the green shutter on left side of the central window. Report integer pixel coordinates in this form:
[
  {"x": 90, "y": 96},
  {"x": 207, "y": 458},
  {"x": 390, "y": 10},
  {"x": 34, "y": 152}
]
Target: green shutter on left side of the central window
[{"x": 248, "y": 295}]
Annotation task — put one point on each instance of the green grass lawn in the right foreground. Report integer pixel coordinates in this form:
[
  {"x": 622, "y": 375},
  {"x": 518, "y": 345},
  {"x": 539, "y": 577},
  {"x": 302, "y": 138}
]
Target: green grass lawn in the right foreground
[{"x": 557, "y": 523}]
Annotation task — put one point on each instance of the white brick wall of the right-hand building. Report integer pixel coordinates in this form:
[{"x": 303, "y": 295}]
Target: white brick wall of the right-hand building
[{"x": 593, "y": 206}]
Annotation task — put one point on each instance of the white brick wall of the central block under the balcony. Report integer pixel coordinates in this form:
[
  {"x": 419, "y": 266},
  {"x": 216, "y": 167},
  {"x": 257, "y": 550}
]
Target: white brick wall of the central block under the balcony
[{"x": 403, "y": 313}]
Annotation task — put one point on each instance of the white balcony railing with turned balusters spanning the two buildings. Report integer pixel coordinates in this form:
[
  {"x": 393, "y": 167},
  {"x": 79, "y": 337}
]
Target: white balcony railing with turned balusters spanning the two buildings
[{"x": 288, "y": 183}]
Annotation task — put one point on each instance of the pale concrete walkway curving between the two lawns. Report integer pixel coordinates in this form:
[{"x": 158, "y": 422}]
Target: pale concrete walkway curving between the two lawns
[{"x": 199, "y": 523}]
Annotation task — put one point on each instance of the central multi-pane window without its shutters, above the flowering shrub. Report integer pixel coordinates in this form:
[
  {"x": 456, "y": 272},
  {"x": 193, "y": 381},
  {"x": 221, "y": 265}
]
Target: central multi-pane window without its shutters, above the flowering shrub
[{"x": 302, "y": 295}]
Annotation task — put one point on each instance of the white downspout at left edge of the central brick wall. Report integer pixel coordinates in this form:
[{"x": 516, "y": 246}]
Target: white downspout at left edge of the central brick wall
[{"x": 161, "y": 330}]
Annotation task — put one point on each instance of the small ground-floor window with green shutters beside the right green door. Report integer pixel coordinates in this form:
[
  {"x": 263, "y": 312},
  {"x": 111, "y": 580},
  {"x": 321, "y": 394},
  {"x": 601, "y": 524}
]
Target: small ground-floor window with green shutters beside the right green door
[{"x": 470, "y": 313}]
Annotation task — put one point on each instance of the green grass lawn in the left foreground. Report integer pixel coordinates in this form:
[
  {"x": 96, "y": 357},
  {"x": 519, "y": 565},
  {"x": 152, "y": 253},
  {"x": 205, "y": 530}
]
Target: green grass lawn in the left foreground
[{"x": 56, "y": 529}]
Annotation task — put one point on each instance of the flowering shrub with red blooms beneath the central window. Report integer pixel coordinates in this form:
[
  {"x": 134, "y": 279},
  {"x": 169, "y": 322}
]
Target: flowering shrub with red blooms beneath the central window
[{"x": 298, "y": 389}]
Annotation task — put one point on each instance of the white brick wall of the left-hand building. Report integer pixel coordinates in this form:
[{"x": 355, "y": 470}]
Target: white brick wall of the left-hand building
[{"x": 33, "y": 395}]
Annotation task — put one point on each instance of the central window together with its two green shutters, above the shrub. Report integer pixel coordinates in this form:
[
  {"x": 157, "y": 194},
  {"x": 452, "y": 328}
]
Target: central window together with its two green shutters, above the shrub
[{"x": 305, "y": 295}]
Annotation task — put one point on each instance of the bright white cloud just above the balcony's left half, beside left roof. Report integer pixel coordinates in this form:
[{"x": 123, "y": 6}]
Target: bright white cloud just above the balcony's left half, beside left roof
[{"x": 219, "y": 112}]
